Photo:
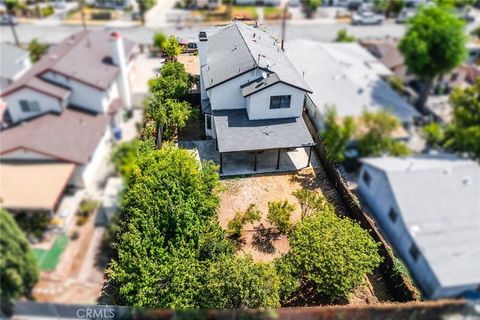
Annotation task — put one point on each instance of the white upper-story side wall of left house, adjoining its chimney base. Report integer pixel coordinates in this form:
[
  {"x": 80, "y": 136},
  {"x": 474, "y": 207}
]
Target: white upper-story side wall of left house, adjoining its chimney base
[{"x": 85, "y": 96}]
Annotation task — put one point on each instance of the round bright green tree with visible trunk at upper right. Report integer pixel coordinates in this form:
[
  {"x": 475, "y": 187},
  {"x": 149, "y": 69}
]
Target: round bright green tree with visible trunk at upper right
[{"x": 433, "y": 45}]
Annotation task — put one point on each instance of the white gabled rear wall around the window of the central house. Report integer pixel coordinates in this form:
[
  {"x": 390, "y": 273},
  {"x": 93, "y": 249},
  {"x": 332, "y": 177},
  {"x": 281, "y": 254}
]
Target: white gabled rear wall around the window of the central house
[{"x": 258, "y": 106}]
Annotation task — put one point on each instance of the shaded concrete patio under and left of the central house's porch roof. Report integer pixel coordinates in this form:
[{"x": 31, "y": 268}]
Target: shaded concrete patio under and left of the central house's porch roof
[{"x": 242, "y": 163}]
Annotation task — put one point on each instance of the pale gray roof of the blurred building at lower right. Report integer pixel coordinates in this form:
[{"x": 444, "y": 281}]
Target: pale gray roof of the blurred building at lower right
[{"x": 439, "y": 202}]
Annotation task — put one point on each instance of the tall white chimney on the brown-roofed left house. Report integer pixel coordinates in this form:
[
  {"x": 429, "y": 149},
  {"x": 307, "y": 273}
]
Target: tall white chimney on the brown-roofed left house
[{"x": 118, "y": 59}]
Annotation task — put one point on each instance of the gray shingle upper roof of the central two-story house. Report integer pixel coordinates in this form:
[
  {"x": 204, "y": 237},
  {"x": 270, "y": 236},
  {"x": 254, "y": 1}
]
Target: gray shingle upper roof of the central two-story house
[{"x": 238, "y": 48}]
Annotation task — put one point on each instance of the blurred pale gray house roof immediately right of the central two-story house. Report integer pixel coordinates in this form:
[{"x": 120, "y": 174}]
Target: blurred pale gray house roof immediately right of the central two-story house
[{"x": 346, "y": 76}]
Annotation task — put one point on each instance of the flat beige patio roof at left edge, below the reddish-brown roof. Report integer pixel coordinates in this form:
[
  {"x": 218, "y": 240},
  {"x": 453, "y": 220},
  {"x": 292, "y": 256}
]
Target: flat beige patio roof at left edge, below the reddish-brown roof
[{"x": 33, "y": 186}]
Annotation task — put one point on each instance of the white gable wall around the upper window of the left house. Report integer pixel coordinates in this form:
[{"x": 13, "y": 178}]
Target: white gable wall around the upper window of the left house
[{"x": 46, "y": 102}]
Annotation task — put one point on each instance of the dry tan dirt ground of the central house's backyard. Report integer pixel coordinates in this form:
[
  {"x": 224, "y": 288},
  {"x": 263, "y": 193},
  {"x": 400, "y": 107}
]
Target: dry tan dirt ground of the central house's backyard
[{"x": 262, "y": 242}]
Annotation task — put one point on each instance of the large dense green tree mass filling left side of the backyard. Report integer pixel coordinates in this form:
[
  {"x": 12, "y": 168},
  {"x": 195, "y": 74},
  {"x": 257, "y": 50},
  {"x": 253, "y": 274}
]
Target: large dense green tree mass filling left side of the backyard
[{"x": 170, "y": 251}]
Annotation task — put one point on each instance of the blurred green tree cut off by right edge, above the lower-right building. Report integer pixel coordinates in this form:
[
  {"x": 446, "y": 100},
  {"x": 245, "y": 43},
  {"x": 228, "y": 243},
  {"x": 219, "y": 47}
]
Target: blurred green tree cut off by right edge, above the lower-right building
[{"x": 463, "y": 133}]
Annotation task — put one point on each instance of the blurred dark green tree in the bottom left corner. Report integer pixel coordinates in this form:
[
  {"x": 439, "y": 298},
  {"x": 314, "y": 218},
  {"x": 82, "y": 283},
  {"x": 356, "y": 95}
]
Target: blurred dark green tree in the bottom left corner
[{"x": 18, "y": 266}]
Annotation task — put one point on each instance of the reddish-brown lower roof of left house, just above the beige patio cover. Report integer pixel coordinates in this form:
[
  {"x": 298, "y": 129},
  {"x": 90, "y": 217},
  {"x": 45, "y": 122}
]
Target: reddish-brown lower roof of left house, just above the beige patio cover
[{"x": 70, "y": 136}]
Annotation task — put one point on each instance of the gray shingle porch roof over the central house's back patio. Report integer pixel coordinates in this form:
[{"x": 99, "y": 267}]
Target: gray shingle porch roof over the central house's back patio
[{"x": 235, "y": 132}]
